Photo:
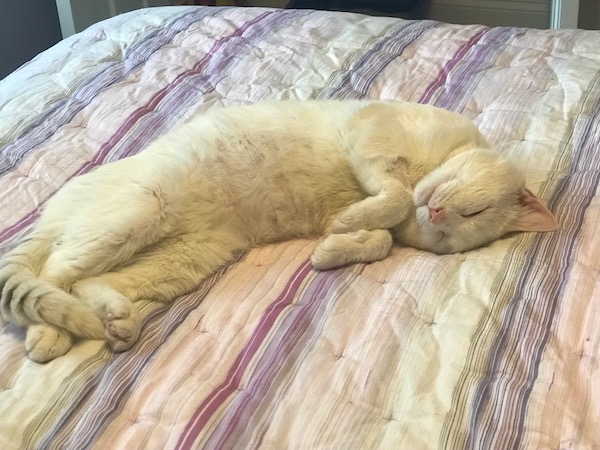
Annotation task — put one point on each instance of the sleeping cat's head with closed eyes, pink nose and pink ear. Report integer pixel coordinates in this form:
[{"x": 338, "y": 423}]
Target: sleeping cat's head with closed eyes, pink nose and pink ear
[{"x": 473, "y": 198}]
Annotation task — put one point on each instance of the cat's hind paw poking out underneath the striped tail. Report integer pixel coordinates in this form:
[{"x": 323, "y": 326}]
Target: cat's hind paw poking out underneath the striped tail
[{"x": 45, "y": 342}]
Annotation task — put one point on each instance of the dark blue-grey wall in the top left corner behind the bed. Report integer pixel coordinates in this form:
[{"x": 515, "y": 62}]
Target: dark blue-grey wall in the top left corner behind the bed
[{"x": 26, "y": 28}]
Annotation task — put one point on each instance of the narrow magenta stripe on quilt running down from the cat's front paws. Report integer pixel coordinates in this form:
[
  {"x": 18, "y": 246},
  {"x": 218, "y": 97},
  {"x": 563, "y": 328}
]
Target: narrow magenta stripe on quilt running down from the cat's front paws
[{"x": 216, "y": 399}]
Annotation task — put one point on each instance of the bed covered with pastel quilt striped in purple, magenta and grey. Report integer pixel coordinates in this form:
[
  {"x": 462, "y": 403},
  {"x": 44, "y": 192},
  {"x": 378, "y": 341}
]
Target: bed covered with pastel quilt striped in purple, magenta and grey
[{"x": 497, "y": 348}]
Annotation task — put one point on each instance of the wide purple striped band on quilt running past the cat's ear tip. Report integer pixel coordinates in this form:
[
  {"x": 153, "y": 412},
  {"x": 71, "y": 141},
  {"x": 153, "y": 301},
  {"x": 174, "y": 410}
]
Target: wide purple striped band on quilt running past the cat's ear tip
[{"x": 527, "y": 322}]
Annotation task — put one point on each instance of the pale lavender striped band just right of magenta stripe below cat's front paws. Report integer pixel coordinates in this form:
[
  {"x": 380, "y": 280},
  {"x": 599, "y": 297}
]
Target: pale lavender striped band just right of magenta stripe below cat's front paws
[{"x": 283, "y": 350}]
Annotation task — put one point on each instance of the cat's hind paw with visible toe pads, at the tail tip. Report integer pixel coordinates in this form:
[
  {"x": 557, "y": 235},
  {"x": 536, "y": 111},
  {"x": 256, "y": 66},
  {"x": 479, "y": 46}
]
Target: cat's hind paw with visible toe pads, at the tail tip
[{"x": 123, "y": 326}]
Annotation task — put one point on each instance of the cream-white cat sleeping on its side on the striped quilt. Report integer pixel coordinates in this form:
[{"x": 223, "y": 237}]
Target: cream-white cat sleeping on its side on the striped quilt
[{"x": 359, "y": 174}]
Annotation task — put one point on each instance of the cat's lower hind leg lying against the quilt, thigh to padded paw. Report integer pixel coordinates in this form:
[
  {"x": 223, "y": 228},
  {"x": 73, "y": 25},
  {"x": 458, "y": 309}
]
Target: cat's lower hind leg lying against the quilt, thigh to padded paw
[{"x": 168, "y": 269}]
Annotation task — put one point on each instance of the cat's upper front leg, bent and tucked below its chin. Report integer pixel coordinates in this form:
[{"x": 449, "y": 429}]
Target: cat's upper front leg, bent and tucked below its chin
[{"x": 390, "y": 198}]
